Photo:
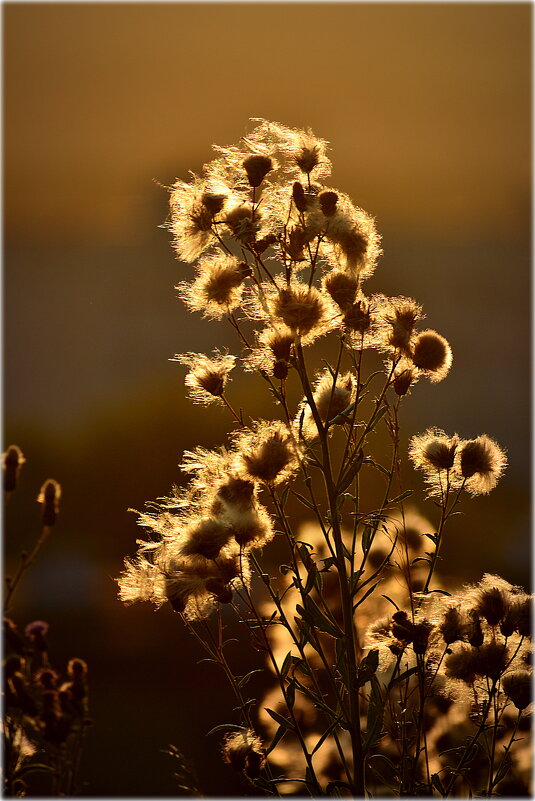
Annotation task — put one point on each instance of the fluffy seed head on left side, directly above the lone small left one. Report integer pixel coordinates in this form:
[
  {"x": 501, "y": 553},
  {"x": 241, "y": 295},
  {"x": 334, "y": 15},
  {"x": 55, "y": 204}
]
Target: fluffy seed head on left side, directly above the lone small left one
[{"x": 217, "y": 289}]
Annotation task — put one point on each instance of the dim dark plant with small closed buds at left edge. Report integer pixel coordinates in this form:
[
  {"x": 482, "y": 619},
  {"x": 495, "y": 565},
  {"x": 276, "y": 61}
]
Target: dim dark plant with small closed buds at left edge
[{"x": 45, "y": 715}]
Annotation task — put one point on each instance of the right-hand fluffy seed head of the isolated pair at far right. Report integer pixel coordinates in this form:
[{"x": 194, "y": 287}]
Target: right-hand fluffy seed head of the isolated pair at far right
[{"x": 481, "y": 463}]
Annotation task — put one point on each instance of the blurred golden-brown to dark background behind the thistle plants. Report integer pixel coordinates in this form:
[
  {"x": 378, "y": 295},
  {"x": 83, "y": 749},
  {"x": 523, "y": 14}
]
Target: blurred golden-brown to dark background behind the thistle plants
[{"x": 427, "y": 108}]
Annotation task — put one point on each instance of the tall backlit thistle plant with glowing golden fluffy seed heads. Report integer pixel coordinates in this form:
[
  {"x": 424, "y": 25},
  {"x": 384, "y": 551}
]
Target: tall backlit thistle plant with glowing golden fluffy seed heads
[{"x": 383, "y": 680}]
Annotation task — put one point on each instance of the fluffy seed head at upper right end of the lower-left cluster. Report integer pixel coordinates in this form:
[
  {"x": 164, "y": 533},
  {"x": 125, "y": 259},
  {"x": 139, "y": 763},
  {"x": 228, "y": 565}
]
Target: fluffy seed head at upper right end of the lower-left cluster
[{"x": 267, "y": 454}]
